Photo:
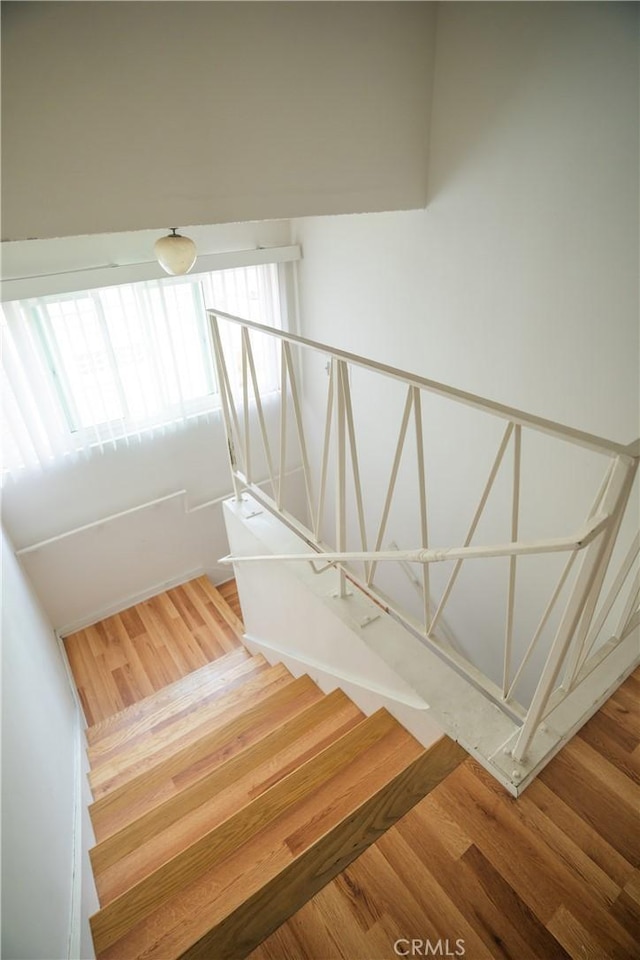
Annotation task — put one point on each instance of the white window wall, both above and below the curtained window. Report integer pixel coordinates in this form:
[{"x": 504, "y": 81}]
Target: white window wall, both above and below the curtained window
[{"x": 93, "y": 572}]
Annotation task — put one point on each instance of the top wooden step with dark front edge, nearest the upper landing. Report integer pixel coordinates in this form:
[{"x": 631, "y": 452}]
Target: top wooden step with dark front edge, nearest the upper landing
[{"x": 288, "y": 858}]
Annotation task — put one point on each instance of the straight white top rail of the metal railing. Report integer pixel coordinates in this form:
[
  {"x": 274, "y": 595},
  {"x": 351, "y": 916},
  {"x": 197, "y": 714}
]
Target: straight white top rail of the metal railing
[{"x": 571, "y": 435}]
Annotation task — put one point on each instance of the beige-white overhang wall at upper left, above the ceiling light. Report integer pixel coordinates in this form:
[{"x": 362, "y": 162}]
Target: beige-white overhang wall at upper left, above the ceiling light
[{"x": 130, "y": 116}]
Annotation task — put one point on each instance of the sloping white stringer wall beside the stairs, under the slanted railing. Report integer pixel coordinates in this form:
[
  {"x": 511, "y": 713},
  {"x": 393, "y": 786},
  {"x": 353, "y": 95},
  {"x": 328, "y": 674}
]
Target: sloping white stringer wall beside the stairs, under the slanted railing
[{"x": 299, "y": 617}]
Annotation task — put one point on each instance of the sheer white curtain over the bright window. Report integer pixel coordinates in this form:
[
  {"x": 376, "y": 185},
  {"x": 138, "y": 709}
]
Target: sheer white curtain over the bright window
[{"x": 85, "y": 370}]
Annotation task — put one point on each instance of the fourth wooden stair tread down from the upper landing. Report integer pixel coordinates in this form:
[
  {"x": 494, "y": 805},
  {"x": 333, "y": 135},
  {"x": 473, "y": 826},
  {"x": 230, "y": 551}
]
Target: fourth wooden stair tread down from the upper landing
[{"x": 203, "y": 754}]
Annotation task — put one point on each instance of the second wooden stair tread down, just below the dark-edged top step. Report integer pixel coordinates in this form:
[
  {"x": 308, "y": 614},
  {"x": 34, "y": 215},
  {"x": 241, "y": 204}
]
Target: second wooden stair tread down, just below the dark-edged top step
[{"x": 350, "y": 758}]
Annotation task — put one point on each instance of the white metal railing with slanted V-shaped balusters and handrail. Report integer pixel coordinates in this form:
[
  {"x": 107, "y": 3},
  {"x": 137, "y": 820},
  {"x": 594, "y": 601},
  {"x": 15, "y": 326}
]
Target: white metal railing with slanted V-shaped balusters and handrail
[{"x": 588, "y": 550}]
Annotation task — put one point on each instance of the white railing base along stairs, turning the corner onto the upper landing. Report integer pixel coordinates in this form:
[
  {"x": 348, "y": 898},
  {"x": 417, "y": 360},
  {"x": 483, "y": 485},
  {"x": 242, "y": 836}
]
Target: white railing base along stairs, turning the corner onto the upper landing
[{"x": 295, "y": 615}]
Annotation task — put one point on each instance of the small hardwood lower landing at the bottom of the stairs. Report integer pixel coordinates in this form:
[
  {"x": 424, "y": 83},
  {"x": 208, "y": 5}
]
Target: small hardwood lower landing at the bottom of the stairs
[{"x": 129, "y": 656}]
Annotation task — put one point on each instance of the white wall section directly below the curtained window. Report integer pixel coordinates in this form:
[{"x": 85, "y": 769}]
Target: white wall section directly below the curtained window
[{"x": 117, "y": 545}]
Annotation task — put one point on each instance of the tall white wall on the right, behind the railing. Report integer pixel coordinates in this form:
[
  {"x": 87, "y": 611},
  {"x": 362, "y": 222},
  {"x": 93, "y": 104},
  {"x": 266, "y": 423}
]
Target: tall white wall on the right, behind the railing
[{"x": 519, "y": 280}]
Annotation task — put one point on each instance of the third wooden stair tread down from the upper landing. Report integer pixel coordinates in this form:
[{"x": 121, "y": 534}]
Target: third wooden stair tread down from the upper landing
[{"x": 128, "y": 856}]
